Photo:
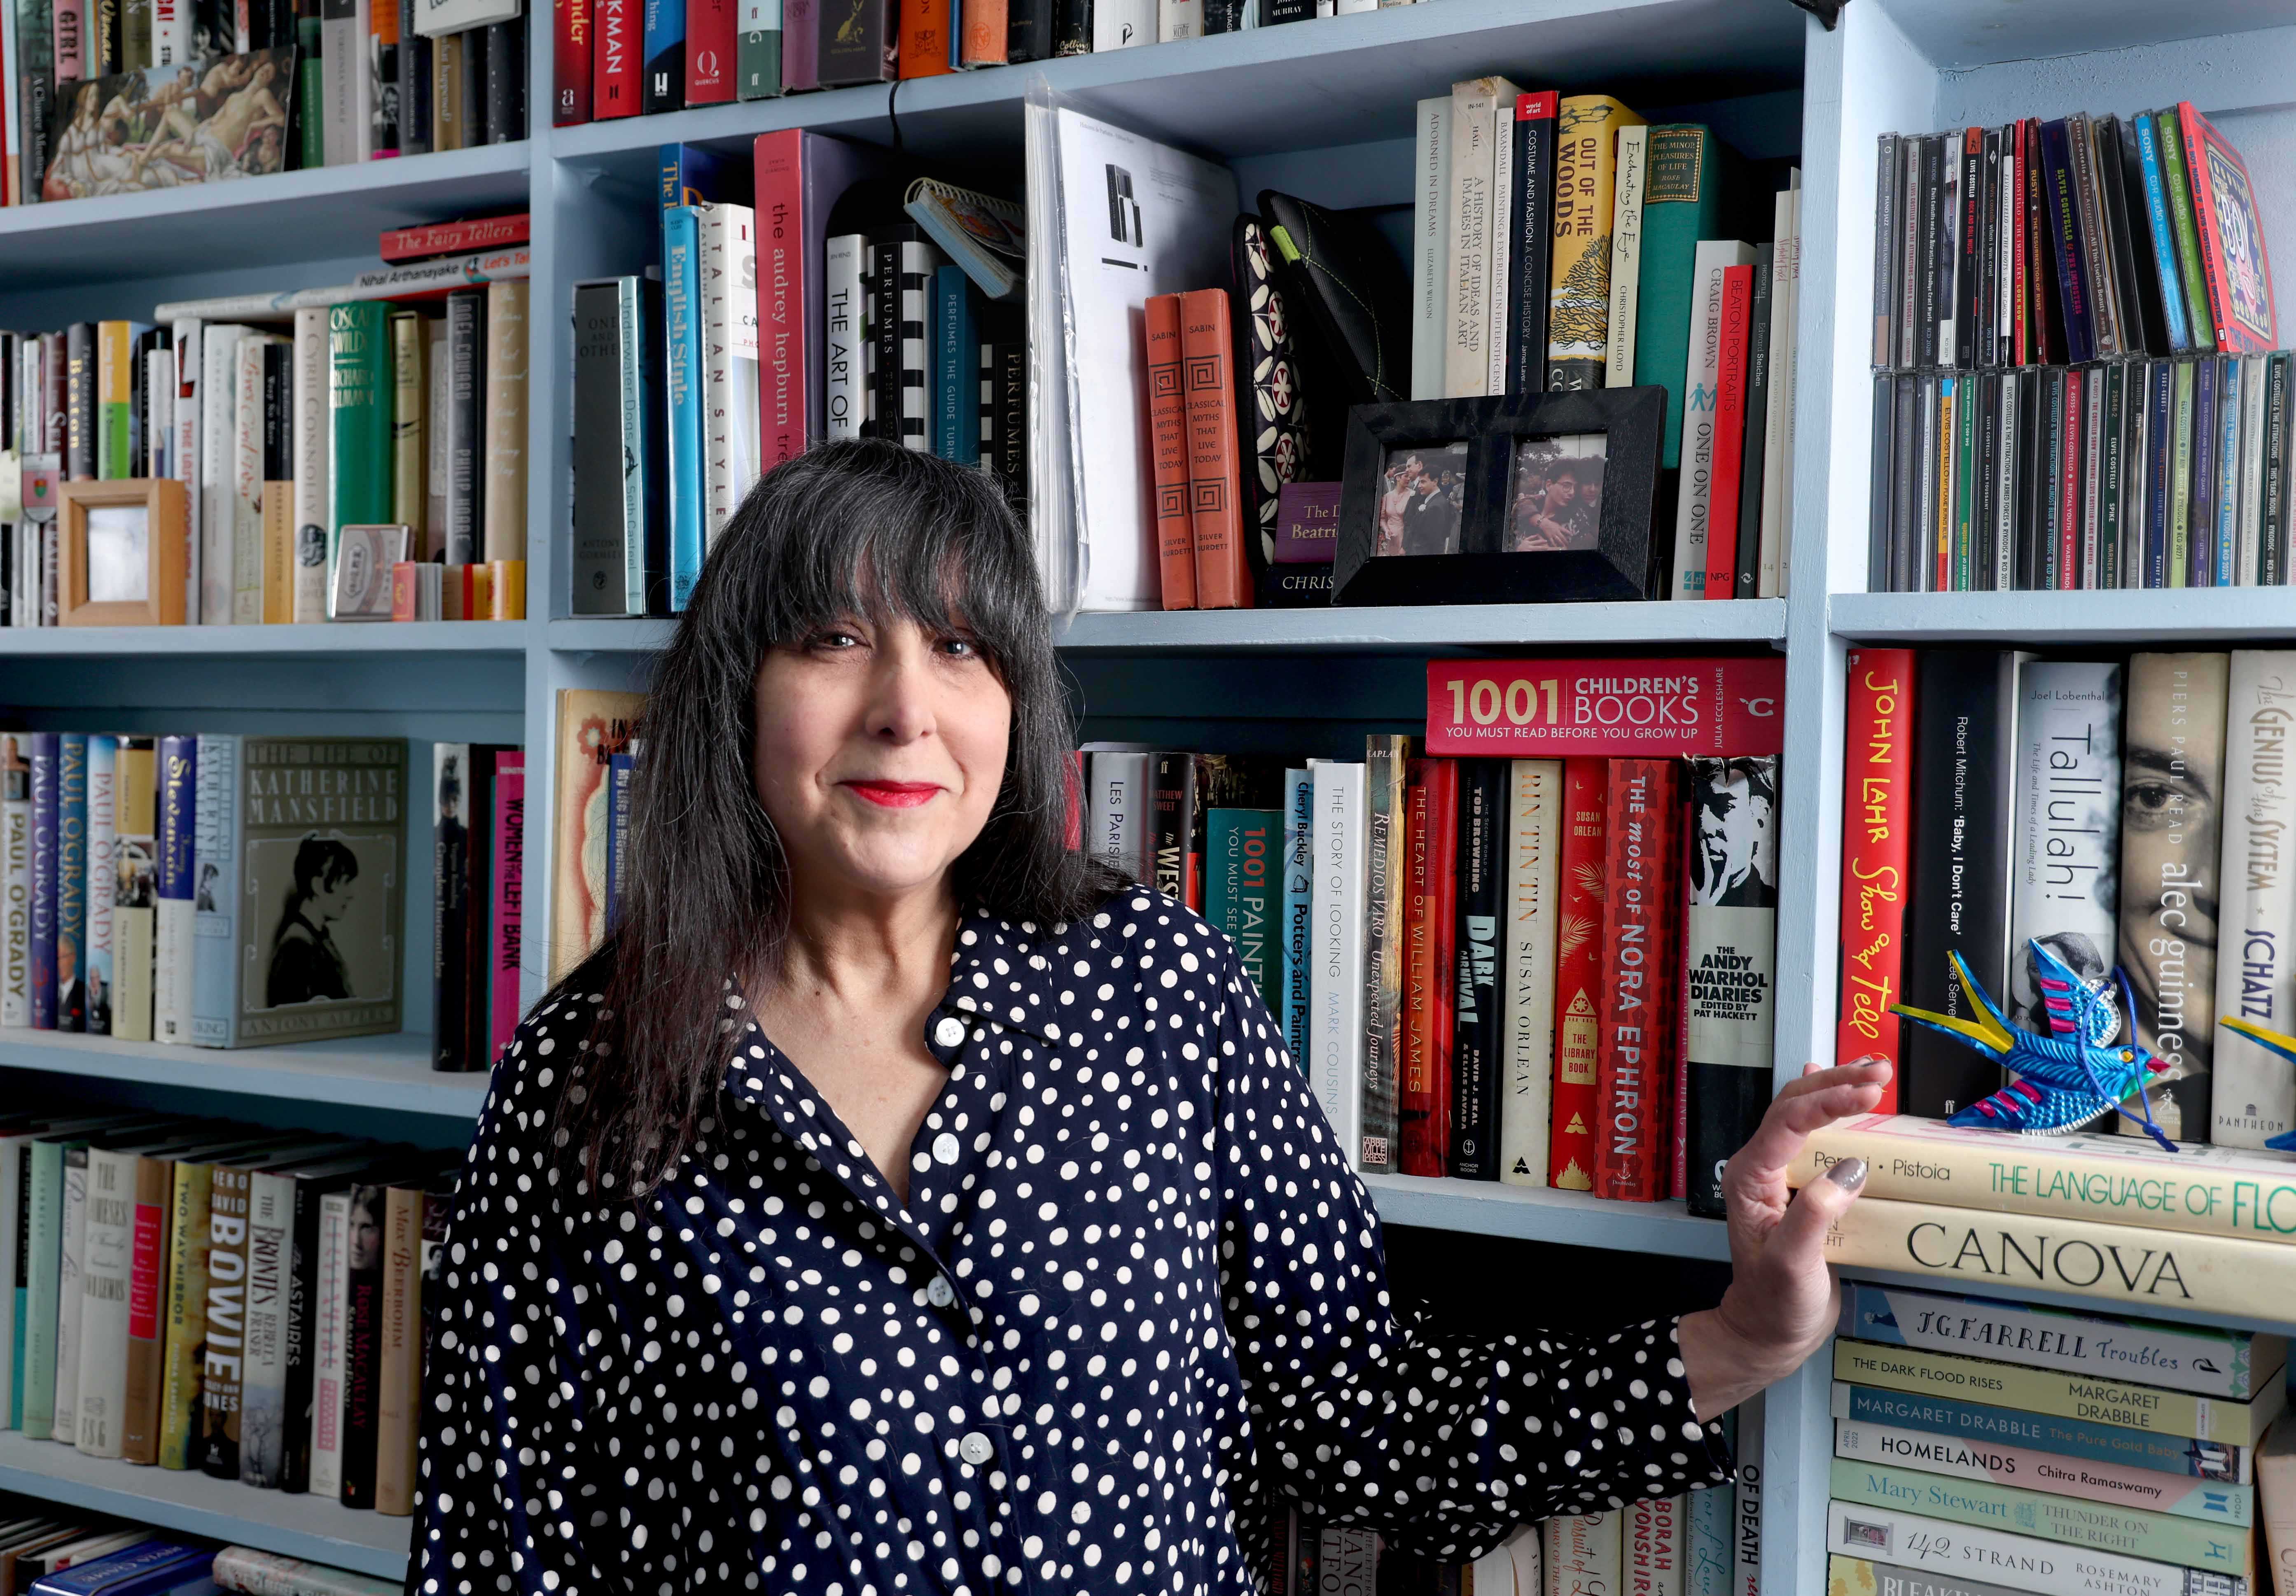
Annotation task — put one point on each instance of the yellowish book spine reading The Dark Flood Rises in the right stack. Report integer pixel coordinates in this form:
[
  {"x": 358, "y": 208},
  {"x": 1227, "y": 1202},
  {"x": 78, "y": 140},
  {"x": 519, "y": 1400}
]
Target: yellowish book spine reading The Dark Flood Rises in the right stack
[{"x": 2058, "y": 1393}]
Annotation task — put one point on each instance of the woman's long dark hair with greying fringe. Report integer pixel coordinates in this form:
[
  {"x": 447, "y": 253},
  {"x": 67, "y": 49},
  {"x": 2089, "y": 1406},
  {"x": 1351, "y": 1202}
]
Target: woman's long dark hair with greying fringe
[{"x": 839, "y": 534}]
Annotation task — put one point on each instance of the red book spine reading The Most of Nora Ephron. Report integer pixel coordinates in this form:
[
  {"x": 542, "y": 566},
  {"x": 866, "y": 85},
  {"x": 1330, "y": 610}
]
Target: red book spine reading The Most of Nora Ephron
[{"x": 1640, "y": 982}]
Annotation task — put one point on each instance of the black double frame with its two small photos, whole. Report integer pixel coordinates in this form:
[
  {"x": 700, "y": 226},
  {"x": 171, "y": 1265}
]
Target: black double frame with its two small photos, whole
[{"x": 1523, "y": 499}]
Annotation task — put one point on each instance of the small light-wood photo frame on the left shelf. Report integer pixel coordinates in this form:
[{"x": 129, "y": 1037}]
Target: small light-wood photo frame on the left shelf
[{"x": 123, "y": 548}]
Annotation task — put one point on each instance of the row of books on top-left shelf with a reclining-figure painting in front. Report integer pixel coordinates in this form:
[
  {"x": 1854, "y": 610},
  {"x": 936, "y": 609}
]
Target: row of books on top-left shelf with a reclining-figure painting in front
[{"x": 107, "y": 98}]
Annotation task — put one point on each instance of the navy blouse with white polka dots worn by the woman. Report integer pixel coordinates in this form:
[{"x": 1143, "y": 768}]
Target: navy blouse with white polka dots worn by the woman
[{"x": 1133, "y": 1306}]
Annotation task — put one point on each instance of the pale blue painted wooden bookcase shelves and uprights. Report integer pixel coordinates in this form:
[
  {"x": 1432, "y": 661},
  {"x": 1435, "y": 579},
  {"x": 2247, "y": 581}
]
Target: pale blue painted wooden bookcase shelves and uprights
[{"x": 1321, "y": 109}]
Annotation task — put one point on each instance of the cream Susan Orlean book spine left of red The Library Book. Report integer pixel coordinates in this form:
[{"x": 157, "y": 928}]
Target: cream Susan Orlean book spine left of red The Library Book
[{"x": 1533, "y": 853}]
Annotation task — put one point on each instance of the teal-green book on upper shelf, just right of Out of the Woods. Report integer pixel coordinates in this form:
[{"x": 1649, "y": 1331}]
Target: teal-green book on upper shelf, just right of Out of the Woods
[{"x": 1682, "y": 203}]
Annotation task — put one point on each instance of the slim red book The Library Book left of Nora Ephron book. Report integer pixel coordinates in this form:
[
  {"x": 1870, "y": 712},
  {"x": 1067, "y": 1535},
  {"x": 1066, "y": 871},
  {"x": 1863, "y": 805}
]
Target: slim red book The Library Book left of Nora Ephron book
[{"x": 1578, "y": 975}]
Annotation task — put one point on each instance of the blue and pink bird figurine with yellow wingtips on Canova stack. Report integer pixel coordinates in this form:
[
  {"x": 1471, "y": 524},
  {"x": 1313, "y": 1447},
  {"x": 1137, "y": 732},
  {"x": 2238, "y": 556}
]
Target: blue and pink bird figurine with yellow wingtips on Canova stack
[{"x": 2063, "y": 1080}]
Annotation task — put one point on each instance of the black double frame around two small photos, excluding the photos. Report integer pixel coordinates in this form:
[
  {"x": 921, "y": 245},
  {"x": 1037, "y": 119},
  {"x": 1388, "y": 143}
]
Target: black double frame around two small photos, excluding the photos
[{"x": 1627, "y": 561}]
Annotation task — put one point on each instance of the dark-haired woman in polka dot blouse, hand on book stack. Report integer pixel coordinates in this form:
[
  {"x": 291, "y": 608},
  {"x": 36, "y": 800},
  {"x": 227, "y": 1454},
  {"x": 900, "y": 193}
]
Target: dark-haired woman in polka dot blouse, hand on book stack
[{"x": 901, "y": 1204}]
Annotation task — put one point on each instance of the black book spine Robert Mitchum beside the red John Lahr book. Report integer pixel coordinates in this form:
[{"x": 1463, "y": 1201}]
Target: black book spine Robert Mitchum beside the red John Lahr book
[{"x": 1960, "y": 904}]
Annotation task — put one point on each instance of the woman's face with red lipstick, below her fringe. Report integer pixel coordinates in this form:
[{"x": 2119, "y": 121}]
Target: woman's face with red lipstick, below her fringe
[{"x": 878, "y": 759}]
